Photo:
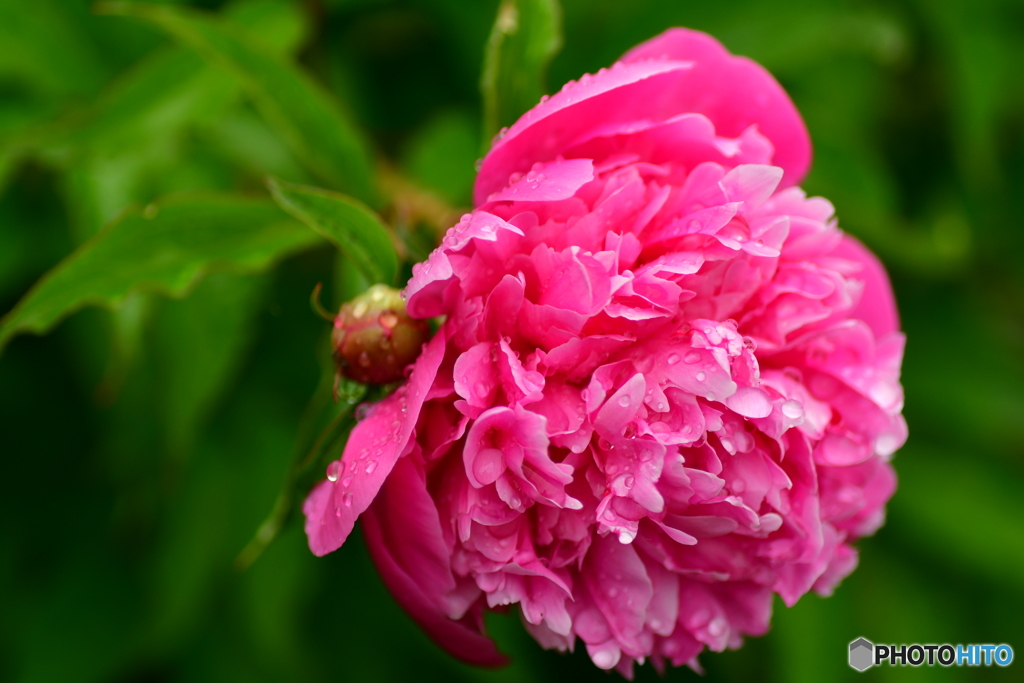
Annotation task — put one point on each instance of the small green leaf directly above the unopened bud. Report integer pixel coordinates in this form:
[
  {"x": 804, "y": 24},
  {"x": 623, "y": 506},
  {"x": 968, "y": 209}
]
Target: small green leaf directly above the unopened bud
[{"x": 353, "y": 227}]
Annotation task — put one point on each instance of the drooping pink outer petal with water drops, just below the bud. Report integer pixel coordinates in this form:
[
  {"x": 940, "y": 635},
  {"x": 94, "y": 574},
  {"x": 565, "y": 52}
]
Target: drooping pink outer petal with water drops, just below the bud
[{"x": 372, "y": 451}]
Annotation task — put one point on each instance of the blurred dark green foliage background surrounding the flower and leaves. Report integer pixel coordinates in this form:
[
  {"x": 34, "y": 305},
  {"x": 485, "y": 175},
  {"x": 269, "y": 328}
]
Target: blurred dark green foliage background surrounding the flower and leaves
[{"x": 143, "y": 448}]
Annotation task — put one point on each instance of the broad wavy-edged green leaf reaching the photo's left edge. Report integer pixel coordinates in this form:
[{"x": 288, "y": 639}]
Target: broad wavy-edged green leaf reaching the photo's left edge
[{"x": 167, "y": 247}]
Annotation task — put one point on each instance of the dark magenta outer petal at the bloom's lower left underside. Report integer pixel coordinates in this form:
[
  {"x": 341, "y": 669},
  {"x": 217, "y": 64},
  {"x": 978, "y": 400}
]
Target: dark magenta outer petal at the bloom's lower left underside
[{"x": 405, "y": 539}]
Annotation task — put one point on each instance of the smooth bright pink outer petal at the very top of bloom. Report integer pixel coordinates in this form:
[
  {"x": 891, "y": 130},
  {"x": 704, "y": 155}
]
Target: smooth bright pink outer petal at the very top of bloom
[{"x": 736, "y": 94}]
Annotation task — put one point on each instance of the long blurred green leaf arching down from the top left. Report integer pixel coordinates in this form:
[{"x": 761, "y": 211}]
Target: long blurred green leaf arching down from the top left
[{"x": 304, "y": 112}]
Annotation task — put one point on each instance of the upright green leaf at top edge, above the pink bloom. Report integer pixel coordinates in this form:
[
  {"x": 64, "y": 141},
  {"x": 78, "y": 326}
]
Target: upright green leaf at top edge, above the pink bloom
[{"x": 526, "y": 37}]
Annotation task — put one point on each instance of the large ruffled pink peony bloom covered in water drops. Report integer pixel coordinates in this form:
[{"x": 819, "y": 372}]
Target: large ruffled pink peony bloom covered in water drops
[{"x": 667, "y": 386}]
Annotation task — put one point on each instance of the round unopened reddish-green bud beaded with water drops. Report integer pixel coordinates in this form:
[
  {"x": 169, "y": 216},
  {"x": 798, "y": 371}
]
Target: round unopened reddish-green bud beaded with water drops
[{"x": 374, "y": 337}]
